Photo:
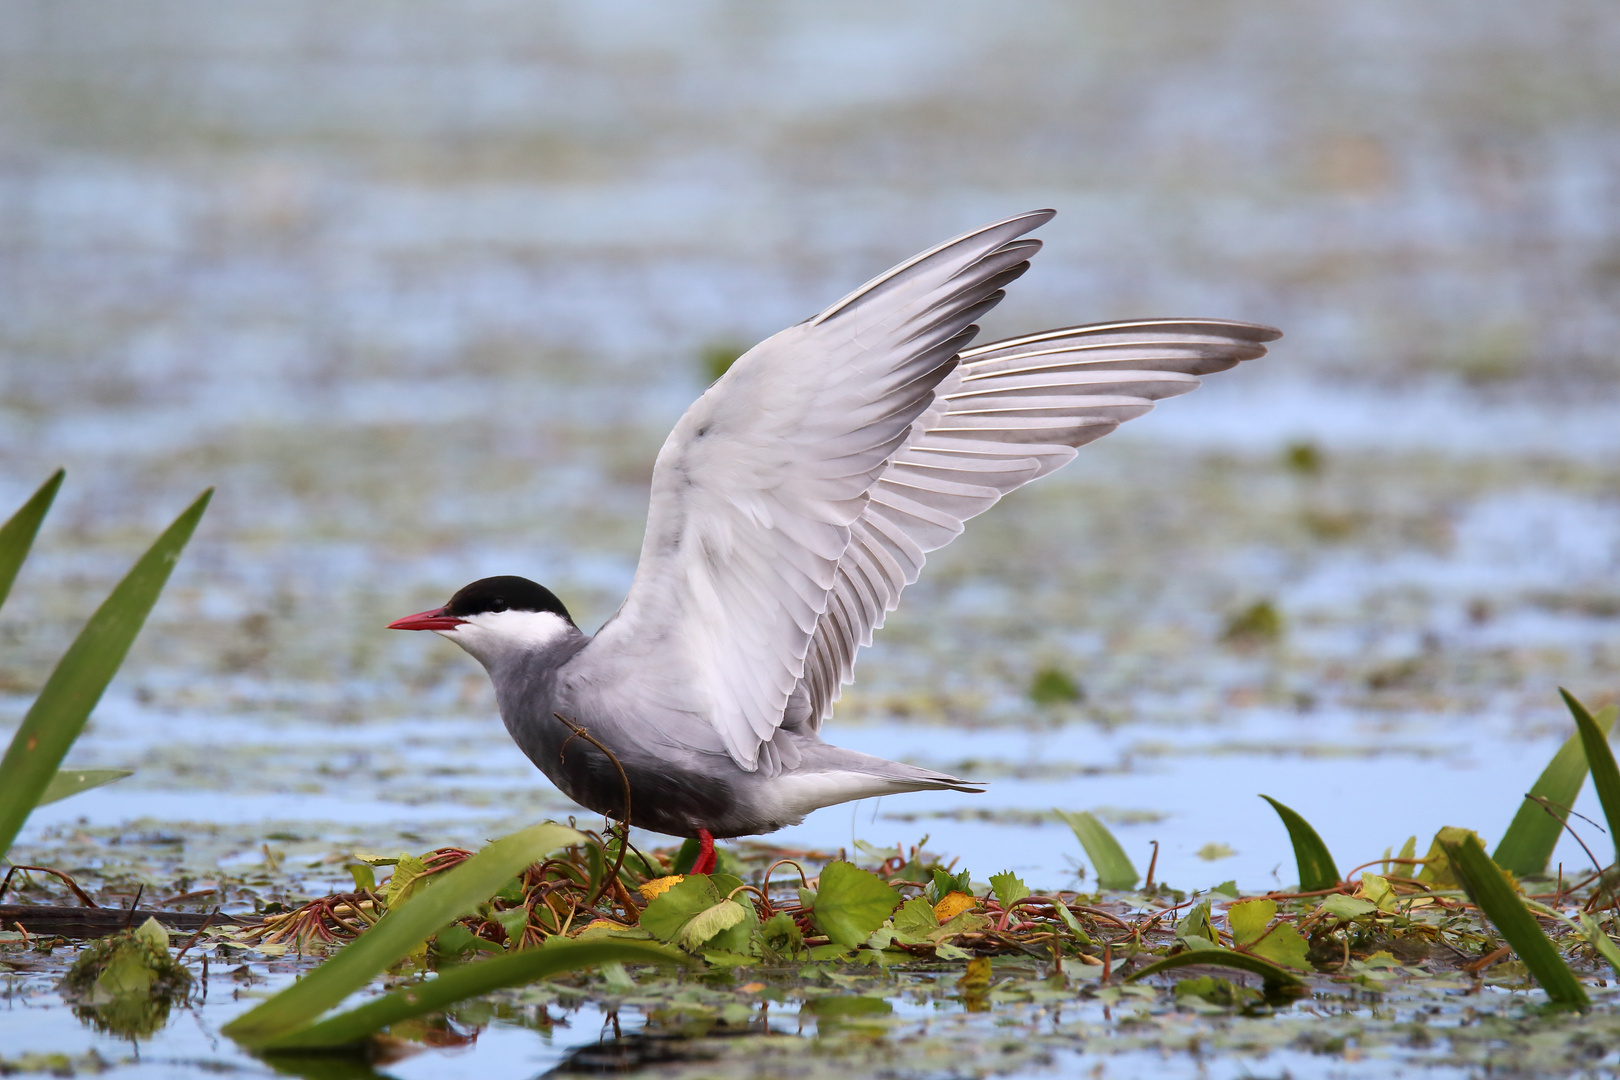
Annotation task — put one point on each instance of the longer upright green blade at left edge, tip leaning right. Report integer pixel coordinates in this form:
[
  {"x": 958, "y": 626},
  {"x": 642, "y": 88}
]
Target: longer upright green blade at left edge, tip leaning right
[{"x": 74, "y": 689}]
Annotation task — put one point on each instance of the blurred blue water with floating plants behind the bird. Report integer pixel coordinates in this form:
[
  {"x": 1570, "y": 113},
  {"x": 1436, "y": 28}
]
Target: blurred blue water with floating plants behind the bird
[{"x": 422, "y": 286}]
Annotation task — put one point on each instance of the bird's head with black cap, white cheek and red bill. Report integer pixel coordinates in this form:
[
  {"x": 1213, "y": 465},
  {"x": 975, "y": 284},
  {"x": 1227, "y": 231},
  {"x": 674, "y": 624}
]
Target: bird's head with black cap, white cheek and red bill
[{"x": 498, "y": 619}]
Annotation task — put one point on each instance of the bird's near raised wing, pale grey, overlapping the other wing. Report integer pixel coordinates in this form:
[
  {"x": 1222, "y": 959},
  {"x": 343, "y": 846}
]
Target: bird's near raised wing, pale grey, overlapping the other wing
[{"x": 757, "y": 488}]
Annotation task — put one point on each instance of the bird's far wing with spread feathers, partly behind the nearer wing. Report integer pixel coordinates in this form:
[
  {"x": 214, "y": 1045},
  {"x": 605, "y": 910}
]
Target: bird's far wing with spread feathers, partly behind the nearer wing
[{"x": 1012, "y": 412}]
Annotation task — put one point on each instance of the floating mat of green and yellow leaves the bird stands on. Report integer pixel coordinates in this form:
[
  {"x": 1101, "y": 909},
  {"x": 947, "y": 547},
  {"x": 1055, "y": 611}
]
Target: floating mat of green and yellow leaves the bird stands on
[{"x": 1451, "y": 919}]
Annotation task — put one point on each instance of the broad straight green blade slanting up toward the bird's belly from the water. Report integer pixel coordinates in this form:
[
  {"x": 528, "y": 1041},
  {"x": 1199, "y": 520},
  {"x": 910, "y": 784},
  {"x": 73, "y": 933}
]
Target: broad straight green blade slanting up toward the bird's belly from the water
[{"x": 398, "y": 933}]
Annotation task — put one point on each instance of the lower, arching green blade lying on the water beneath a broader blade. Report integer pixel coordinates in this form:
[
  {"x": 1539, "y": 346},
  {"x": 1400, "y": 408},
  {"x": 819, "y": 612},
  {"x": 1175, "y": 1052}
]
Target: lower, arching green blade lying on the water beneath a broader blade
[{"x": 469, "y": 980}]
